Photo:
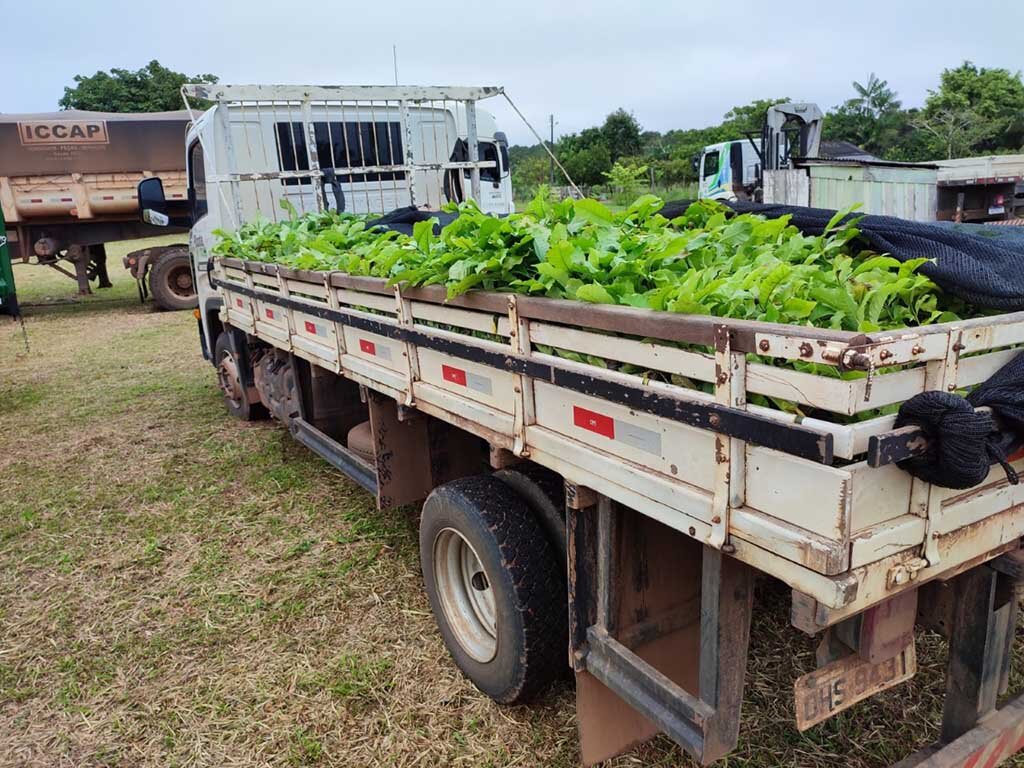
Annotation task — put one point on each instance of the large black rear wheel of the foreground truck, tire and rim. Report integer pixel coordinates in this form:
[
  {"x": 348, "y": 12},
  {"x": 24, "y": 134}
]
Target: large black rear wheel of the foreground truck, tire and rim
[{"x": 480, "y": 544}]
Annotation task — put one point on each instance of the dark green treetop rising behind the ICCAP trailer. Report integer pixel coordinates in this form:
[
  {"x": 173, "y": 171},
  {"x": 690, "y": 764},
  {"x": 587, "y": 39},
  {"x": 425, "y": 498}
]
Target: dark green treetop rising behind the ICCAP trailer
[{"x": 154, "y": 89}]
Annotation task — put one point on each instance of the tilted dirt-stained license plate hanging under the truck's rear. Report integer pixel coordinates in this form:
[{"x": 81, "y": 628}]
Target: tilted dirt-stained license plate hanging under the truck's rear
[{"x": 828, "y": 692}]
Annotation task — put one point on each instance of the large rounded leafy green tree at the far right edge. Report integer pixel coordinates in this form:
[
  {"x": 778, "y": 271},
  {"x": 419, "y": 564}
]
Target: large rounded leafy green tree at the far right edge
[{"x": 975, "y": 111}]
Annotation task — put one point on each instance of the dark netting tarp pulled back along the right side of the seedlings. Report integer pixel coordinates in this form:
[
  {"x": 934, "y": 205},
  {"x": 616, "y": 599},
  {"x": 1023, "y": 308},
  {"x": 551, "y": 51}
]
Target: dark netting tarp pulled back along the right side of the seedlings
[{"x": 982, "y": 265}]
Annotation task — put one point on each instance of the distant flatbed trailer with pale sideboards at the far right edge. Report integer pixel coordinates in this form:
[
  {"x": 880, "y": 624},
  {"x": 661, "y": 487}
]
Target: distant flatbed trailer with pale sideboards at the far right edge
[{"x": 989, "y": 189}]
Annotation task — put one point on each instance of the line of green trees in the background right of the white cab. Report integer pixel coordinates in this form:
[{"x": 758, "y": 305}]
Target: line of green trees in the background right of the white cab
[{"x": 973, "y": 111}]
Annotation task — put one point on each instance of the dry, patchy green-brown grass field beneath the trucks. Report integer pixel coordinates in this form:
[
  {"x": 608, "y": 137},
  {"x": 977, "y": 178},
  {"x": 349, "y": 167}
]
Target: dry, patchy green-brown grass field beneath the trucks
[{"x": 181, "y": 589}]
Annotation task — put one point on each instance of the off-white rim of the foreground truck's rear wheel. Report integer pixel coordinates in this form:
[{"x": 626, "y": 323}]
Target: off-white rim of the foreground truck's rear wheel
[{"x": 466, "y": 595}]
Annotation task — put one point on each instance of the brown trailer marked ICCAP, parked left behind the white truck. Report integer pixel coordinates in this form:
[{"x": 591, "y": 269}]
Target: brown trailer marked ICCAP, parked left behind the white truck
[{"x": 68, "y": 188}]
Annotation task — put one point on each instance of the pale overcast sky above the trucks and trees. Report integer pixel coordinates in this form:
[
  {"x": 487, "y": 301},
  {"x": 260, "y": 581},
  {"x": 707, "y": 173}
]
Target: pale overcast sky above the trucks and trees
[{"x": 672, "y": 64}]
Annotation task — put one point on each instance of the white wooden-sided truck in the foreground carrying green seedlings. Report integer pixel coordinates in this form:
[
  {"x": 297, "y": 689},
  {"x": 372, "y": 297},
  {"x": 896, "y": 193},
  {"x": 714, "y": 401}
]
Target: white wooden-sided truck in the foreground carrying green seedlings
[{"x": 588, "y": 519}]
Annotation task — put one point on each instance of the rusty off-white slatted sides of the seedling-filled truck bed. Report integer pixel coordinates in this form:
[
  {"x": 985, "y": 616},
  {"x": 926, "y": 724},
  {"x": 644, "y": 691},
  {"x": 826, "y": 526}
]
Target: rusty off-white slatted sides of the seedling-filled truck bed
[{"x": 817, "y": 502}]
